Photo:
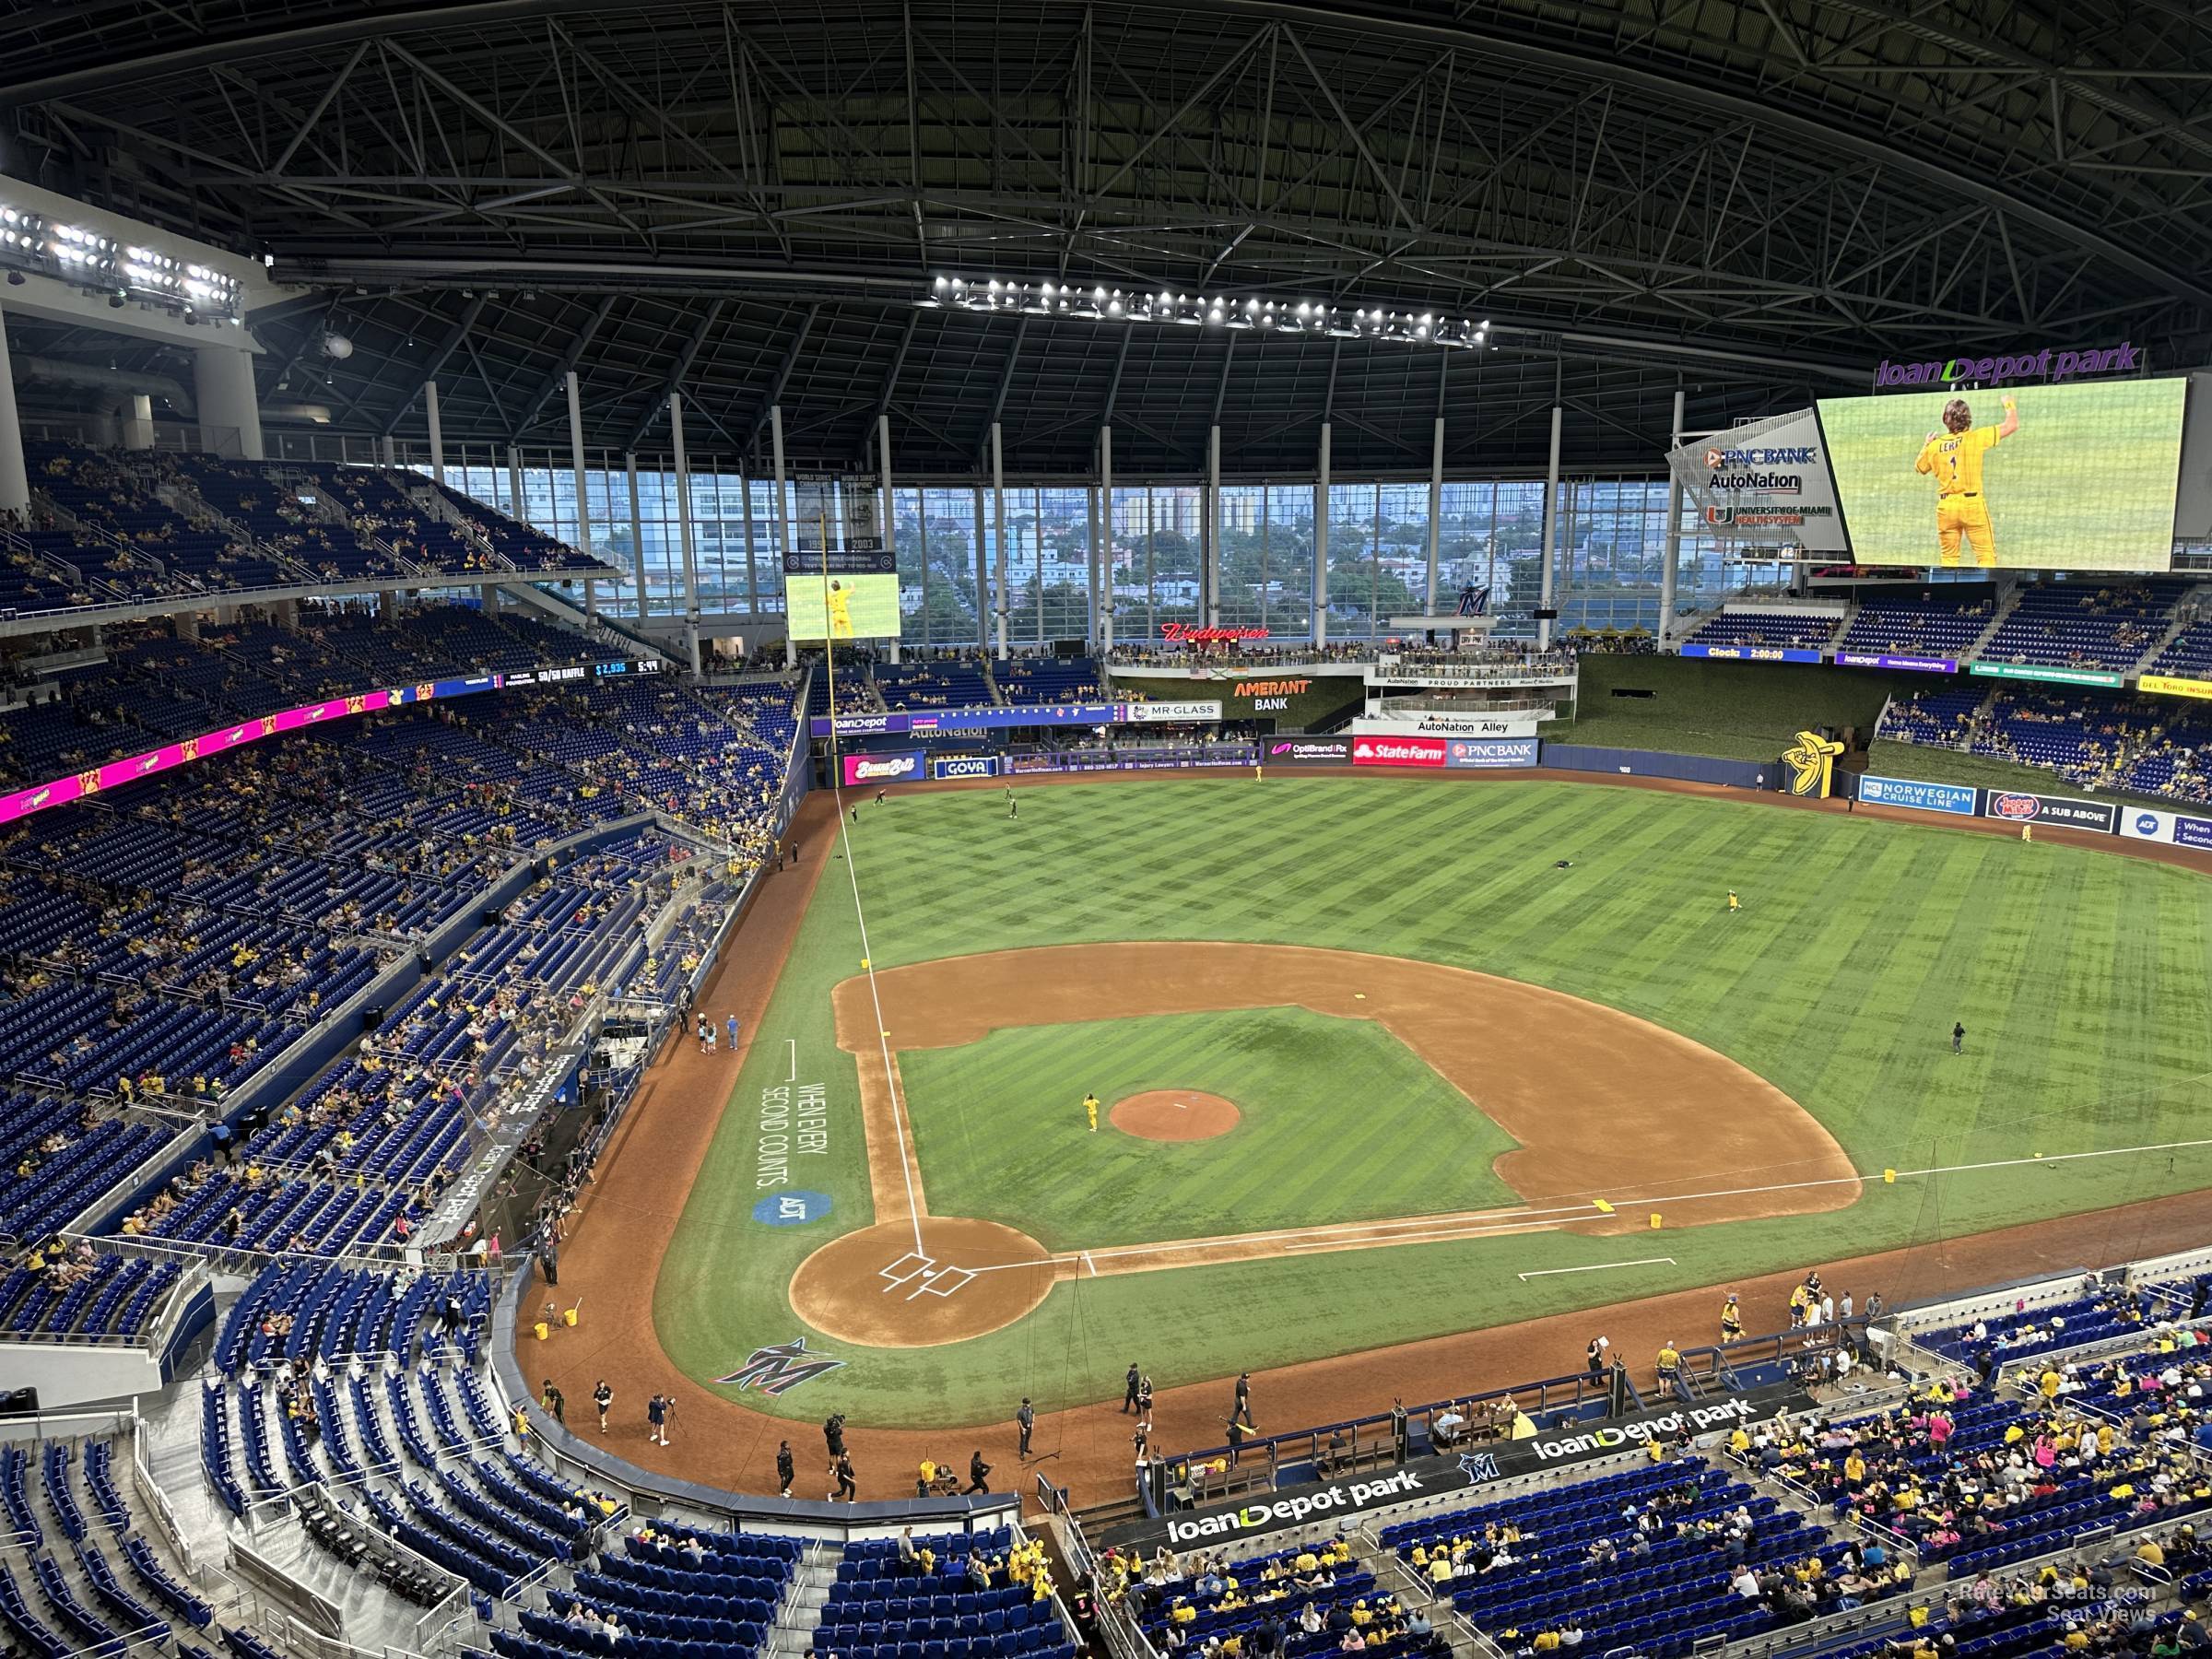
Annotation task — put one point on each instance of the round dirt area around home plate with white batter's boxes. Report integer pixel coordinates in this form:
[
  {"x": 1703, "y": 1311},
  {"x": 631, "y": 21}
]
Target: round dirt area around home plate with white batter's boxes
[{"x": 966, "y": 1280}]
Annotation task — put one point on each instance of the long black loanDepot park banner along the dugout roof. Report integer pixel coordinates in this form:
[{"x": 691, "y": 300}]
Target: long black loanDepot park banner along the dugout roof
[{"x": 1339, "y": 1503}]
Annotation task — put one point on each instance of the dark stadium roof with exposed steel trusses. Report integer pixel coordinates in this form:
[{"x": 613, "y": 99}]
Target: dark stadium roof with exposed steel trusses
[{"x": 747, "y": 200}]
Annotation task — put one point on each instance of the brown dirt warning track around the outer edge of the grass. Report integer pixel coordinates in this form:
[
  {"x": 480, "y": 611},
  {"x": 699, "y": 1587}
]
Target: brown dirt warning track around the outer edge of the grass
[{"x": 629, "y": 1213}]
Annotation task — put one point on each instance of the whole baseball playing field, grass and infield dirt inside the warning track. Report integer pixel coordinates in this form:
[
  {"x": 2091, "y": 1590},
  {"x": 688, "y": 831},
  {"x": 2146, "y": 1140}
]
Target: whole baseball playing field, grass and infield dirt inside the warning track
[{"x": 1377, "y": 1063}]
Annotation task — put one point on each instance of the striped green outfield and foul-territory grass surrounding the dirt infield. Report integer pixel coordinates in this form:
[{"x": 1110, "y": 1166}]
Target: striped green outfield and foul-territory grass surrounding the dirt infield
[{"x": 2078, "y": 974}]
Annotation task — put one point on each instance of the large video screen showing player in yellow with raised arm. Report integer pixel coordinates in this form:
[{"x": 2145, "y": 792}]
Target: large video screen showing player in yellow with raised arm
[{"x": 2041, "y": 479}]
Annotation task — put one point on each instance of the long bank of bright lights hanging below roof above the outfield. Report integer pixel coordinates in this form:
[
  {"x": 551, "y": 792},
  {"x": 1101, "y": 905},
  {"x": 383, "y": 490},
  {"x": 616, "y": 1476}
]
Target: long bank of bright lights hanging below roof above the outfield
[{"x": 1202, "y": 311}]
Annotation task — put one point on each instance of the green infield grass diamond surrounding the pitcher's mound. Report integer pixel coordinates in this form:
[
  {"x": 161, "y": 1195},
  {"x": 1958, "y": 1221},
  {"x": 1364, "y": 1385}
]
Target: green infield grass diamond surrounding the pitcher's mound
[{"x": 1003, "y": 1136}]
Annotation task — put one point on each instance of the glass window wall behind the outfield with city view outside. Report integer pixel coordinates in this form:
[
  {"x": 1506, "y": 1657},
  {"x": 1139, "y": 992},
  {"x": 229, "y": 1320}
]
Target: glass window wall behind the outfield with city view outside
[{"x": 1611, "y": 547}]
